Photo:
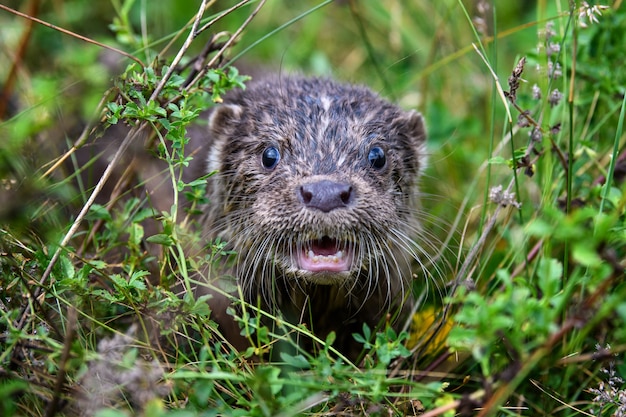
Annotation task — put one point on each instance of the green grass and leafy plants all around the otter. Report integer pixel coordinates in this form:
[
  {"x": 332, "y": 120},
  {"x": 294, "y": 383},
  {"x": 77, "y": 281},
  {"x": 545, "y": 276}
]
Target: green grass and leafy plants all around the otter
[{"x": 532, "y": 274}]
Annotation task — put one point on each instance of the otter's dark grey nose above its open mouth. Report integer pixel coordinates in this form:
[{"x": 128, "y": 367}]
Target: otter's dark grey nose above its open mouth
[{"x": 326, "y": 195}]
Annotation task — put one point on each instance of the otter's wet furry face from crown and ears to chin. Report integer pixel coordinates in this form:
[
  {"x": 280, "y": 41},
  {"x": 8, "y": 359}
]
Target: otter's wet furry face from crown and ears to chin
[{"x": 316, "y": 182}]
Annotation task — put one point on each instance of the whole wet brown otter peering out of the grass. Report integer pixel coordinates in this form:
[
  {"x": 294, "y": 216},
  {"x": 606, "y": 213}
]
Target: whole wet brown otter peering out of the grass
[{"x": 316, "y": 191}]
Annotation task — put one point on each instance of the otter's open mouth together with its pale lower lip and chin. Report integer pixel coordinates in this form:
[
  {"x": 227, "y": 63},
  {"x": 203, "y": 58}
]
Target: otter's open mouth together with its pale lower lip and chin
[{"x": 324, "y": 259}]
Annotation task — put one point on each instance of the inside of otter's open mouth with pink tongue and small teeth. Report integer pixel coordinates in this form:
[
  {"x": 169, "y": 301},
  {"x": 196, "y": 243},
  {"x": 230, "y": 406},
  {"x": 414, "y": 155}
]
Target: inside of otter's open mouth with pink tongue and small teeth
[{"x": 323, "y": 255}]
